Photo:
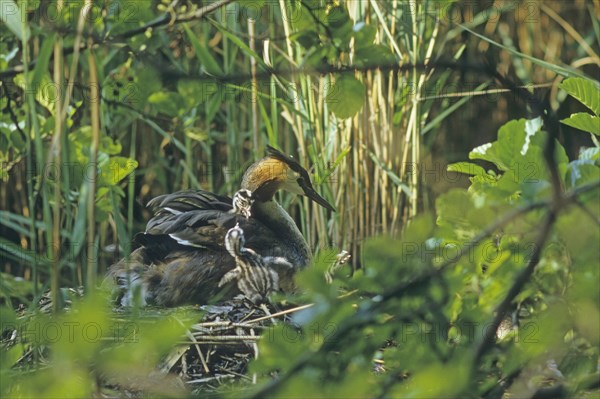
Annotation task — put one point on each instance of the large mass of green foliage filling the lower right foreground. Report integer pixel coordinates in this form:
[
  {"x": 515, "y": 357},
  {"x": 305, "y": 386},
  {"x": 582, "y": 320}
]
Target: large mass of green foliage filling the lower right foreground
[{"x": 422, "y": 304}]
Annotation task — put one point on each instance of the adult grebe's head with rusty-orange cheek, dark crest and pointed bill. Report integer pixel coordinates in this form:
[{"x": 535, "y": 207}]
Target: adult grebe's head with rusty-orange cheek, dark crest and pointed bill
[{"x": 278, "y": 171}]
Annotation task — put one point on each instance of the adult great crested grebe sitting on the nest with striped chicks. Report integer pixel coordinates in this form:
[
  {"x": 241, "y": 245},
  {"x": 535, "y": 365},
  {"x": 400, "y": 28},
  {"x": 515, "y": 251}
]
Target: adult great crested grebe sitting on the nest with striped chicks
[{"x": 183, "y": 259}]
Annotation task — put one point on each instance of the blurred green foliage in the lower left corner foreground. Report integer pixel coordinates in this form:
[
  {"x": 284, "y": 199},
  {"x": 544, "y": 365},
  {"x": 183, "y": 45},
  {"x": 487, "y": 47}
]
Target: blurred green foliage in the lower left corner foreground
[{"x": 85, "y": 345}]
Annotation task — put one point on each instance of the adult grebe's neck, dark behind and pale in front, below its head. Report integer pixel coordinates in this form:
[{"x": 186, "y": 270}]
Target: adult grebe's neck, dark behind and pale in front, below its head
[{"x": 272, "y": 215}]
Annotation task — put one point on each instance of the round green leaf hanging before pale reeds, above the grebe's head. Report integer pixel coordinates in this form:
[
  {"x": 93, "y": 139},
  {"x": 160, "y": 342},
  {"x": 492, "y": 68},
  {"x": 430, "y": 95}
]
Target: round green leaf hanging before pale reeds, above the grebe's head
[{"x": 346, "y": 97}]
